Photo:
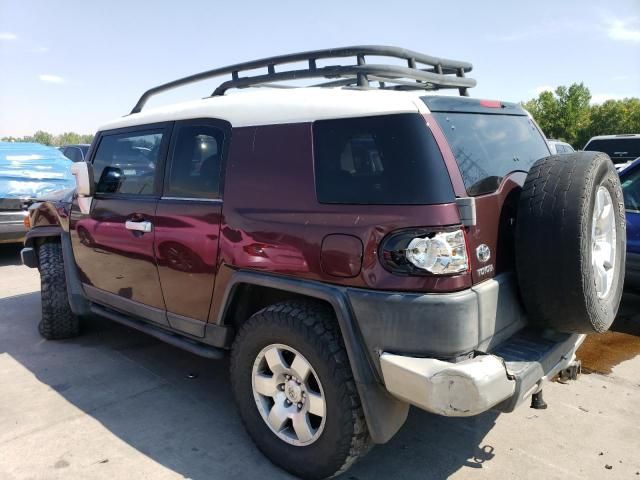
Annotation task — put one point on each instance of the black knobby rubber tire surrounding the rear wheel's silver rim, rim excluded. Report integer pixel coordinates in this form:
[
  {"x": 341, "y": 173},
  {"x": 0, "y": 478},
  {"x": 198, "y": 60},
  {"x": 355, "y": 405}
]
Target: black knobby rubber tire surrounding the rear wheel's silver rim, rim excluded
[{"x": 311, "y": 329}]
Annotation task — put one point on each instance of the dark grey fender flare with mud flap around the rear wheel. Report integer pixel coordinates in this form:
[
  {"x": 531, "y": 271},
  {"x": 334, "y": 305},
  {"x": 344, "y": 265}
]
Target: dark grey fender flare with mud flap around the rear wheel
[{"x": 384, "y": 413}]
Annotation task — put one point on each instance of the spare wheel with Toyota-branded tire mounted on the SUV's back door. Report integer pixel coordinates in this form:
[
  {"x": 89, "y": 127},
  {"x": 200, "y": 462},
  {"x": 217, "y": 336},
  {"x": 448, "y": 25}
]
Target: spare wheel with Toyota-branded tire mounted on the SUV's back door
[{"x": 570, "y": 242}]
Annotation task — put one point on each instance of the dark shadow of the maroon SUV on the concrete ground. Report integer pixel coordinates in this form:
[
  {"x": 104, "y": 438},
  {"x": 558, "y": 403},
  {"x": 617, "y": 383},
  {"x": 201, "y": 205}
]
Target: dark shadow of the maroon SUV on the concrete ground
[{"x": 177, "y": 408}]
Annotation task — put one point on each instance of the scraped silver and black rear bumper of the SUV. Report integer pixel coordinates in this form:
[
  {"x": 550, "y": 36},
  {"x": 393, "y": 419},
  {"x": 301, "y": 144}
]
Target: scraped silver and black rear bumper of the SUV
[{"x": 501, "y": 380}]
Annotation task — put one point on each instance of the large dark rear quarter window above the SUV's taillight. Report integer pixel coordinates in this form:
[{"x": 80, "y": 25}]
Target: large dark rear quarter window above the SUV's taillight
[{"x": 389, "y": 160}]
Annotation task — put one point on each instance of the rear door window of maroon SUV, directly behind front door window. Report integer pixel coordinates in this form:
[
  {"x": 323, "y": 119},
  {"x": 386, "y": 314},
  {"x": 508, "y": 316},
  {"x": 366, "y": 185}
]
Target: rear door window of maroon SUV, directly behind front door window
[{"x": 195, "y": 164}]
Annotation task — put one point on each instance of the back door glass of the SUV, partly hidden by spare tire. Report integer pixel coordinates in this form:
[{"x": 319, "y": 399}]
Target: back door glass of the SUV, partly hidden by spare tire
[{"x": 488, "y": 146}]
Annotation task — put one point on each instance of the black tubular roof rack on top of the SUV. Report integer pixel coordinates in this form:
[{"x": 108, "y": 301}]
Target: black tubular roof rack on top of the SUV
[{"x": 435, "y": 73}]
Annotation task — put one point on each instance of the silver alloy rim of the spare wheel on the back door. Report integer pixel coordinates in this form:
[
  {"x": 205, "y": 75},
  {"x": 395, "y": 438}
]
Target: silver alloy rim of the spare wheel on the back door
[{"x": 603, "y": 242}]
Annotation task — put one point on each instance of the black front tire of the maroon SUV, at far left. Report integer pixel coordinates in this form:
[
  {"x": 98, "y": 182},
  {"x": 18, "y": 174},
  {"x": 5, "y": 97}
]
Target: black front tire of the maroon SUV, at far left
[{"x": 58, "y": 321}]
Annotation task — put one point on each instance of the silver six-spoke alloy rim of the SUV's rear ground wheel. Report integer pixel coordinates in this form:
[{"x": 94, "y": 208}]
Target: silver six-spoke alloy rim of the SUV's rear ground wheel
[{"x": 288, "y": 394}]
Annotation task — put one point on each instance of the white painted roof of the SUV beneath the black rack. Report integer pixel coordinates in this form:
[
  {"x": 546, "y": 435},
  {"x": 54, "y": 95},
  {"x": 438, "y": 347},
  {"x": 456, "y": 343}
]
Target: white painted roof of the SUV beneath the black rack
[{"x": 266, "y": 106}]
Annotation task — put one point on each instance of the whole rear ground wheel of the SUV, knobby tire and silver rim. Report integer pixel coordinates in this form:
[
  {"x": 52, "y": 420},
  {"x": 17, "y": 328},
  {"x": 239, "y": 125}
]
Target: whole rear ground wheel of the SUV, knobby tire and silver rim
[{"x": 295, "y": 390}]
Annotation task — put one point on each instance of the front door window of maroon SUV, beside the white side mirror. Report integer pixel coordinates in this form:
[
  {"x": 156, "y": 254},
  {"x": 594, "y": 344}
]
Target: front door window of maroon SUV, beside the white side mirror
[{"x": 126, "y": 163}]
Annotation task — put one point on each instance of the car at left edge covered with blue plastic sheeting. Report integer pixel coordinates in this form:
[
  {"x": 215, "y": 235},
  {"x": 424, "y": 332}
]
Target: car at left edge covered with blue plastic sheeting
[{"x": 28, "y": 171}]
